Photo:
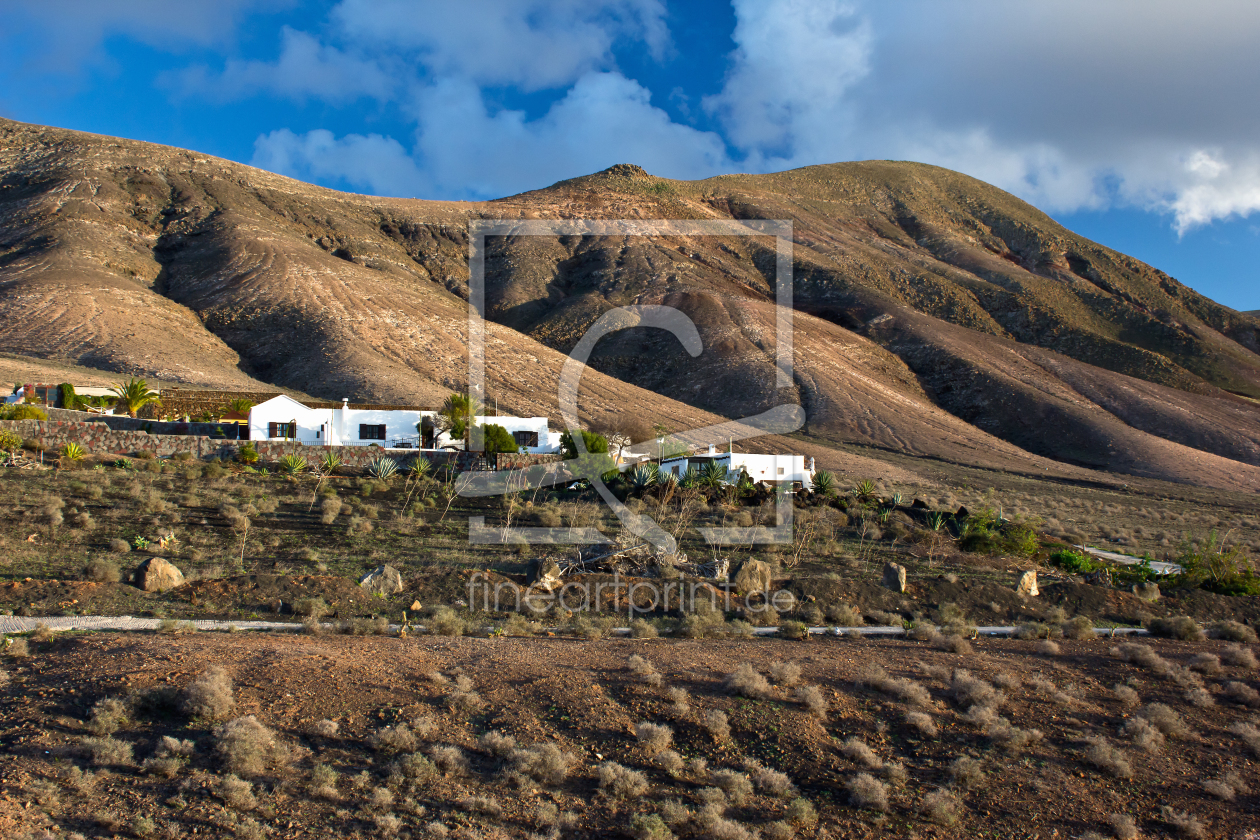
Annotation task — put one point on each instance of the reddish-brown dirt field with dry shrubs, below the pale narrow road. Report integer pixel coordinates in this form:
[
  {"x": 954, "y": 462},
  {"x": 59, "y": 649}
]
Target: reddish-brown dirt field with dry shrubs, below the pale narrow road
[{"x": 583, "y": 698}]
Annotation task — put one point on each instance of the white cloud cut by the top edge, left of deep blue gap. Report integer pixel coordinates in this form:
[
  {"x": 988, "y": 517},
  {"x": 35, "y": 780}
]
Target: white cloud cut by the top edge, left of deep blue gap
[{"x": 532, "y": 45}]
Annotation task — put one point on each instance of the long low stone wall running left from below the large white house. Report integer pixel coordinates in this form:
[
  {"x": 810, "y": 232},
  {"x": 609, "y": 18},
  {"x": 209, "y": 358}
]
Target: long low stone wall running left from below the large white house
[{"x": 100, "y": 439}]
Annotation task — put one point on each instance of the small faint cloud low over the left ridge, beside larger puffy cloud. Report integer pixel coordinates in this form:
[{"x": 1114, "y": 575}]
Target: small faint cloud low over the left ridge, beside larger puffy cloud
[{"x": 379, "y": 166}]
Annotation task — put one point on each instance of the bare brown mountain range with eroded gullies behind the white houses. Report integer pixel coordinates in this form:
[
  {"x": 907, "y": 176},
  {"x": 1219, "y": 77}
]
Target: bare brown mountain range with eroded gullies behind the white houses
[{"x": 936, "y": 315}]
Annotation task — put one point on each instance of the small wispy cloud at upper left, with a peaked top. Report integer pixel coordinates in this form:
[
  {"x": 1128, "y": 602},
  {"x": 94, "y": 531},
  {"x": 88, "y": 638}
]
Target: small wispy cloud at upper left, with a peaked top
[{"x": 306, "y": 69}]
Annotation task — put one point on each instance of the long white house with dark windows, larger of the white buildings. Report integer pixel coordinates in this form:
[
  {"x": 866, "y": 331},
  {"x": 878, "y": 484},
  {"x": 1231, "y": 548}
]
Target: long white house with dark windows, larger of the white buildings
[{"x": 284, "y": 419}]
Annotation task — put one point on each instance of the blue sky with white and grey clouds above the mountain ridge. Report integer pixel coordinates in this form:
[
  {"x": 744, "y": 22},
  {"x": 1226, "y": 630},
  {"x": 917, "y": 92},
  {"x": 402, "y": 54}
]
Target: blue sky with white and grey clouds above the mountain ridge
[{"x": 1133, "y": 123}]
